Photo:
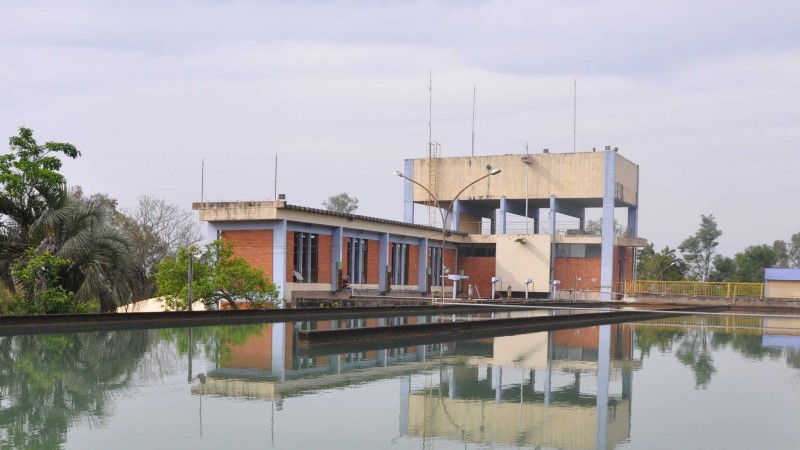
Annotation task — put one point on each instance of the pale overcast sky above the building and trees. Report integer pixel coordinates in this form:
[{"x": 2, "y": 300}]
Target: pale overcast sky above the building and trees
[{"x": 703, "y": 95}]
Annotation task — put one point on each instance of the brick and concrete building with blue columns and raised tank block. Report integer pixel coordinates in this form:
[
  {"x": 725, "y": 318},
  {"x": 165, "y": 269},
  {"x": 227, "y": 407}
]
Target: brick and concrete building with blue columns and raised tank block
[{"x": 504, "y": 233}]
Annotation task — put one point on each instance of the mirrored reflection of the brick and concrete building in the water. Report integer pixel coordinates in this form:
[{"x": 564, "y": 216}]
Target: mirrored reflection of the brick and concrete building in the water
[{"x": 568, "y": 389}]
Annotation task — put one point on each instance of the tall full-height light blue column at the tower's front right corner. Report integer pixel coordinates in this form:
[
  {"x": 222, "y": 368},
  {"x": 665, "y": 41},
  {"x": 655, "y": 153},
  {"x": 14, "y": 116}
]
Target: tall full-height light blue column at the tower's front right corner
[{"x": 607, "y": 232}]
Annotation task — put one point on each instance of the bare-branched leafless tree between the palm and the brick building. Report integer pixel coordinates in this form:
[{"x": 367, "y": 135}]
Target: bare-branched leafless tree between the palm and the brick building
[{"x": 158, "y": 230}]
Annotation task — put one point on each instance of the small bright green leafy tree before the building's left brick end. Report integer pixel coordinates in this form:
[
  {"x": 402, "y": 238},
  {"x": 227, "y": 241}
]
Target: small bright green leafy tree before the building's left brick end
[{"x": 219, "y": 276}]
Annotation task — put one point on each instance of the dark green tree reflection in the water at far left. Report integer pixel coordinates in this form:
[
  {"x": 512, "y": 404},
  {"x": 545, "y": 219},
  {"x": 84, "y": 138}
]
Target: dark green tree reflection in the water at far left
[{"x": 48, "y": 382}]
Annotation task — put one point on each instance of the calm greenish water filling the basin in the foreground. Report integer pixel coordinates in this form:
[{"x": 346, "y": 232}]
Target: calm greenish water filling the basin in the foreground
[{"x": 687, "y": 382}]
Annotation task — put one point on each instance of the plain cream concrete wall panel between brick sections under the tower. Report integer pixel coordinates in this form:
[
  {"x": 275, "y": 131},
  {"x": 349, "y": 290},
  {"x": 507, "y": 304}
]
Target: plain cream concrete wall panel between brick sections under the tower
[{"x": 518, "y": 261}]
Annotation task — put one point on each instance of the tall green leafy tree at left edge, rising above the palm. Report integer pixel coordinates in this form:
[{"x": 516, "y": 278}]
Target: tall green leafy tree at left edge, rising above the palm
[{"x": 30, "y": 185}]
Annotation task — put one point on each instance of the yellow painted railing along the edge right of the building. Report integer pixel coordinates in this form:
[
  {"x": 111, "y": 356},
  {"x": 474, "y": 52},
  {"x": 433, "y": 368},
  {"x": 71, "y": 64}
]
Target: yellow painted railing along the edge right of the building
[{"x": 693, "y": 289}]
